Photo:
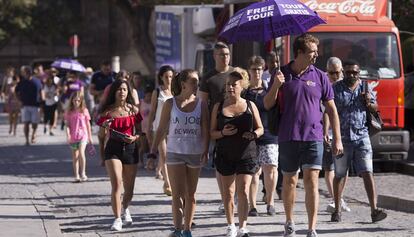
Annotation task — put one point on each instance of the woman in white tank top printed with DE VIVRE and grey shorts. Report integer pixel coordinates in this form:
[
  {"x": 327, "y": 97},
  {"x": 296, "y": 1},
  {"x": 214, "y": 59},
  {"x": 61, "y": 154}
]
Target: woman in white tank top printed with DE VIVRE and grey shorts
[{"x": 185, "y": 118}]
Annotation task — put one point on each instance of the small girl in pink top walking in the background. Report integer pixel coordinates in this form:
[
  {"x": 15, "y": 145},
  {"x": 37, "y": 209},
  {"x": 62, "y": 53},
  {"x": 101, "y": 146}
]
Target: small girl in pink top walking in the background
[{"x": 78, "y": 132}]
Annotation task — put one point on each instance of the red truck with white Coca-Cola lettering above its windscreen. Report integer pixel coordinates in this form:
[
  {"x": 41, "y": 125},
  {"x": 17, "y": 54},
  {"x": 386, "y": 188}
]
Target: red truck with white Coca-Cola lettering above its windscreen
[{"x": 363, "y": 31}]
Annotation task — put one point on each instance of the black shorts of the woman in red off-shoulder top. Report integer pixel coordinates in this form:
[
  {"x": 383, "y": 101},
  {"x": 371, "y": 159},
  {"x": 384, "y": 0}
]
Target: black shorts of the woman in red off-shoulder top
[{"x": 126, "y": 153}]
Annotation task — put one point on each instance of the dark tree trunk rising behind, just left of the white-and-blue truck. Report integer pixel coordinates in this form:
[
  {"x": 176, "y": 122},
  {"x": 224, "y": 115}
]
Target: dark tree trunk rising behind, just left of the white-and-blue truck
[{"x": 138, "y": 13}]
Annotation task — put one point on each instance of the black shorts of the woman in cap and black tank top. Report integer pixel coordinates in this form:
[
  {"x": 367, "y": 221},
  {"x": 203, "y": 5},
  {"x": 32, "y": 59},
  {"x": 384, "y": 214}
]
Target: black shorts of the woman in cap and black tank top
[{"x": 228, "y": 162}]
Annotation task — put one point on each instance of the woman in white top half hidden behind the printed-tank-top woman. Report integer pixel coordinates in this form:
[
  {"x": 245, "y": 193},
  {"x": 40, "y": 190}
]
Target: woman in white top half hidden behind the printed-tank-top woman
[{"x": 159, "y": 96}]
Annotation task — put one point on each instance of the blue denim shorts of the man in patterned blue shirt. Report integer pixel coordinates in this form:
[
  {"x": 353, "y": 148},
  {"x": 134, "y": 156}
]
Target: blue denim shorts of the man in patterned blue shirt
[{"x": 359, "y": 152}]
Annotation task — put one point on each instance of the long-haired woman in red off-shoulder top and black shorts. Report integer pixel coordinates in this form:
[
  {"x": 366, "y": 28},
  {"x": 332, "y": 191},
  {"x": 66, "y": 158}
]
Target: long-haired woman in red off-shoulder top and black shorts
[{"x": 122, "y": 119}]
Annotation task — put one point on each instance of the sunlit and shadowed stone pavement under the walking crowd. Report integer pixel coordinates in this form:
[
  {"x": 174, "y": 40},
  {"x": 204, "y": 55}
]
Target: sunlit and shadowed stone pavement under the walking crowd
[{"x": 38, "y": 198}]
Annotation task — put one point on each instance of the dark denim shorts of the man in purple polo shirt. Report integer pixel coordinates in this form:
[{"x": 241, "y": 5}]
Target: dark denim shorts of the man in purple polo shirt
[{"x": 300, "y": 154}]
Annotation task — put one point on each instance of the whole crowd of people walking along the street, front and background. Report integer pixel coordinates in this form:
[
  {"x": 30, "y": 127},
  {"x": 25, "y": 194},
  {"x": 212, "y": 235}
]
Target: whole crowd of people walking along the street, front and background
[{"x": 186, "y": 120}]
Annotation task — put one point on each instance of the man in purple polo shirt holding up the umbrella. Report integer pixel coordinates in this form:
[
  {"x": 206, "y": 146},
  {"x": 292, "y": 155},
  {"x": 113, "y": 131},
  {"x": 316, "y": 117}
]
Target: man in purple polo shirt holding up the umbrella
[{"x": 302, "y": 88}]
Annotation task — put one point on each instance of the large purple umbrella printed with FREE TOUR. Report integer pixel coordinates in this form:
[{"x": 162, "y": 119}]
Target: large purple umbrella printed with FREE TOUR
[{"x": 264, "y": 21}]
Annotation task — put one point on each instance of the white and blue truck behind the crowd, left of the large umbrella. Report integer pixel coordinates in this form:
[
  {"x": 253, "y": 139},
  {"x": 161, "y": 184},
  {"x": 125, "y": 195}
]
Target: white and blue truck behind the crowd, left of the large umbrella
[{"x": 185, "y": 35}]
